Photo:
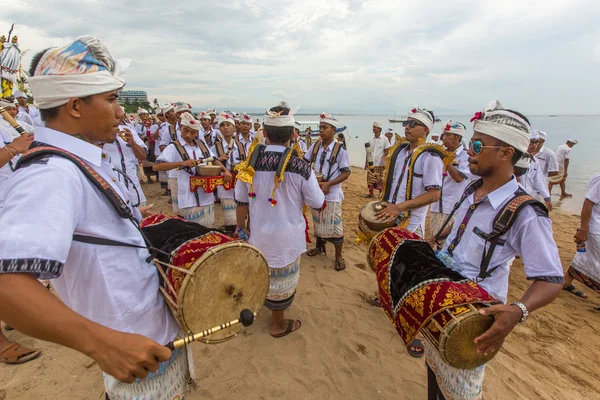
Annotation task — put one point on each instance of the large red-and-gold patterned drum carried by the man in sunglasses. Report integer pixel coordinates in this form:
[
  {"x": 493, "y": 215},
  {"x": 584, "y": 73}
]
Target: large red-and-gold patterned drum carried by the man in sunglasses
[{"x": 419, "y": 293}]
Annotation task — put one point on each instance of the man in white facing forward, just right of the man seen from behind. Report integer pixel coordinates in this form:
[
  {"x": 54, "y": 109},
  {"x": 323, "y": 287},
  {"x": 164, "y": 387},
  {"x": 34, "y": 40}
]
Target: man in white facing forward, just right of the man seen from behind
[{"x": 334, "y": 169}]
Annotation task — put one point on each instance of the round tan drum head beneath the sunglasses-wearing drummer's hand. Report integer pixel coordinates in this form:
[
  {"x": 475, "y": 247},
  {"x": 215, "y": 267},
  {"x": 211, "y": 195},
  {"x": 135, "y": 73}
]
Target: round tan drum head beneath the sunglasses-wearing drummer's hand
[{"x": 458, "y": 349}]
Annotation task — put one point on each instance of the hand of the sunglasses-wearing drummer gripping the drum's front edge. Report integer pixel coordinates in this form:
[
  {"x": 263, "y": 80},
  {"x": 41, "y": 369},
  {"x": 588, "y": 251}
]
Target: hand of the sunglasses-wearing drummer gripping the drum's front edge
[{"x": 505, "y": 320}]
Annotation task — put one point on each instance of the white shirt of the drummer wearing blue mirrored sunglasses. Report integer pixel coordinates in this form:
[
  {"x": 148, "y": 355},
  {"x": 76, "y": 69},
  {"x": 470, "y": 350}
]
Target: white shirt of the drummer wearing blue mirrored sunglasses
[{"x": 530, "y": 236}]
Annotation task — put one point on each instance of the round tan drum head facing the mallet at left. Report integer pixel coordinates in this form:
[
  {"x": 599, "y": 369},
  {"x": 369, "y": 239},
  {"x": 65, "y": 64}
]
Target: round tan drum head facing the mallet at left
[{"x": 226, "y": 279}]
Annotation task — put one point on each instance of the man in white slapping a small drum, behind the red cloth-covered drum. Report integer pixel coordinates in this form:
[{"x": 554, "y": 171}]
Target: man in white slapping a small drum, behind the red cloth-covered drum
[{"x": 426, "y": 173}]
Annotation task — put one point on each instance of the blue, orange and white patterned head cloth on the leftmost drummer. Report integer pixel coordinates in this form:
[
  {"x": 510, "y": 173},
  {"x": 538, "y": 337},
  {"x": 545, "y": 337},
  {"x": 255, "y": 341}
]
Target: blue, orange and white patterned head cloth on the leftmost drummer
[{"x": 82, "y": 68}]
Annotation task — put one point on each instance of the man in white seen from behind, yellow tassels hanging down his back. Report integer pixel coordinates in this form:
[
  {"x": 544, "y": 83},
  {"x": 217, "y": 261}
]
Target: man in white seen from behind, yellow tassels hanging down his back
[{"x": 276, "y": 221}]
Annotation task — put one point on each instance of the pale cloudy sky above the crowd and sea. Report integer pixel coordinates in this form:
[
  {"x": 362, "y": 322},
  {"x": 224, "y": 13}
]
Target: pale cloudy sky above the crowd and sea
[{"x": 536, "y": 56}]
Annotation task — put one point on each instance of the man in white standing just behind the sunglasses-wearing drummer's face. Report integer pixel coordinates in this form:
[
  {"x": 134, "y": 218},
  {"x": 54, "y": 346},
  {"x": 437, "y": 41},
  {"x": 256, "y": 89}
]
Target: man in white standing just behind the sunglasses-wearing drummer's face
[{"x": 456, "y": 177}]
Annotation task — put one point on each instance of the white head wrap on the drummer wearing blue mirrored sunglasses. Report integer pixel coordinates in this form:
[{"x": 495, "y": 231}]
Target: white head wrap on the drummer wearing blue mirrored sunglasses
[{"x": 503, "y": 125}]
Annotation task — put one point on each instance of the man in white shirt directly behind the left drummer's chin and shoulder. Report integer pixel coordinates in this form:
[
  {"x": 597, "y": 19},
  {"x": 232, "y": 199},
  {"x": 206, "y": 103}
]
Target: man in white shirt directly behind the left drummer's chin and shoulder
[{"x": 125, "y": 153}]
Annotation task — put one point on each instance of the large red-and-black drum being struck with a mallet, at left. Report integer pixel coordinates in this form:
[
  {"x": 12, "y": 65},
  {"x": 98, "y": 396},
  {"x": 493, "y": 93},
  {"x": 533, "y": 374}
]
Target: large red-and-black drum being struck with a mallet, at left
[{"x": 209, "y": 277}]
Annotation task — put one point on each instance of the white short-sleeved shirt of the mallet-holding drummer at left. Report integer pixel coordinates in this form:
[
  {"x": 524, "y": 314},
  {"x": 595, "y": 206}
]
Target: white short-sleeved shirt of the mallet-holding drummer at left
[{"x": 46, "y": 203}]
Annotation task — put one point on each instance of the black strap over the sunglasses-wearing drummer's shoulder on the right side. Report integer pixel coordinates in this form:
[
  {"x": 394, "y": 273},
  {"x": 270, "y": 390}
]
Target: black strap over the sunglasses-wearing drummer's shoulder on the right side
[{"x": 503, "y": 221}]
